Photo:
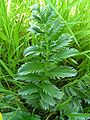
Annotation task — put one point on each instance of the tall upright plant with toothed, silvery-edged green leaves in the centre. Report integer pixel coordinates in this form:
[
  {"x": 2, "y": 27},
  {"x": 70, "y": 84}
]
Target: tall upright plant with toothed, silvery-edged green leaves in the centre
[{"x": 46, "y": 56}]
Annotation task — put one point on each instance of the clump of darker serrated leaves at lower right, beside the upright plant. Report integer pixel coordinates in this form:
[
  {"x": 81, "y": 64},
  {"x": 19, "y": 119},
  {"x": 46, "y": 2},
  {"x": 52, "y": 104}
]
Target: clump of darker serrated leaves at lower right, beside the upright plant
[{"x": 76, "y": 99}]
